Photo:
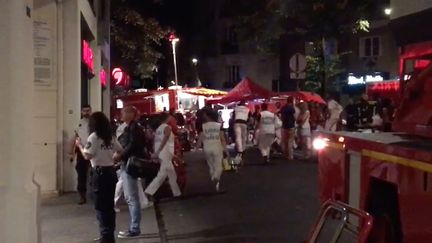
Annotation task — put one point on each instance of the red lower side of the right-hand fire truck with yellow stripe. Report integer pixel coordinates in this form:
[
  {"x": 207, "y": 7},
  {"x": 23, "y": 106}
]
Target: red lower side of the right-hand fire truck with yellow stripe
[{"x": 406, "y": 169}]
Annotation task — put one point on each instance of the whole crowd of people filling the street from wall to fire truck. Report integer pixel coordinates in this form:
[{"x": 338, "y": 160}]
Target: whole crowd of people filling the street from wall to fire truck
[{"x": 158, "y": 143}]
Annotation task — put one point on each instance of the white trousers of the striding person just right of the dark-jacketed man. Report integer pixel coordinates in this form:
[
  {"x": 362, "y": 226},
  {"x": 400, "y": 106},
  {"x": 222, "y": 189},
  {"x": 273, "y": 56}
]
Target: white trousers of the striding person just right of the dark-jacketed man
[{"x": 166, "y": 170}]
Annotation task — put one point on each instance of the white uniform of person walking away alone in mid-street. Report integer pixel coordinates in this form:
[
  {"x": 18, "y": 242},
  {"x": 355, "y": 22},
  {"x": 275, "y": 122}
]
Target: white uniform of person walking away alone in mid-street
[{"x": 213, "y": 148}]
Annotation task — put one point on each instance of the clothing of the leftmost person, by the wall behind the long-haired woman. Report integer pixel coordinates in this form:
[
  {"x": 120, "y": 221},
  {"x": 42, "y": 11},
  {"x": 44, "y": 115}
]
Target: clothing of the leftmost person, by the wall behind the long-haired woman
[{"x": 82, "y": 165}]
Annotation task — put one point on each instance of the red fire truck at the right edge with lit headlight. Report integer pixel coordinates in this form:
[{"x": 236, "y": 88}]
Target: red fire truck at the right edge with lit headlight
[{"x": 388, "y": 174}]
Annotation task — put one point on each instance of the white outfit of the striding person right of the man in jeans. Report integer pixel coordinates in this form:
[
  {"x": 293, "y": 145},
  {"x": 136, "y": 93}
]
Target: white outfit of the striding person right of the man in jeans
[{"x": 166, "y": 168}]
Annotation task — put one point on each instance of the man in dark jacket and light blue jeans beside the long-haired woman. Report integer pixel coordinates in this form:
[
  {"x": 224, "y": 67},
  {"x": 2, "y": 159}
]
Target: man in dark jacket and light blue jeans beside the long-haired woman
[{"x": 132, "y": 140}]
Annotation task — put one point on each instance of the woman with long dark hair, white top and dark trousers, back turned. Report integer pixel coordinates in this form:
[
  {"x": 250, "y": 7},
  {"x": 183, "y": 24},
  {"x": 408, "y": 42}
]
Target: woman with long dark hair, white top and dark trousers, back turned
[{"x": 100, "y": 149}]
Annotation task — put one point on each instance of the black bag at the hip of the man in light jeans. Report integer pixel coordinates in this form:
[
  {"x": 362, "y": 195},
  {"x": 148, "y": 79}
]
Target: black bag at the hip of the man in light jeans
[{"x": 142, "y": 168}]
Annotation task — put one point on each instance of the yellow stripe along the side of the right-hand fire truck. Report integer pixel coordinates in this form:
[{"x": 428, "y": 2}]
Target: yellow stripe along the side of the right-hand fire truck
[{"x": 398, "y": 160}]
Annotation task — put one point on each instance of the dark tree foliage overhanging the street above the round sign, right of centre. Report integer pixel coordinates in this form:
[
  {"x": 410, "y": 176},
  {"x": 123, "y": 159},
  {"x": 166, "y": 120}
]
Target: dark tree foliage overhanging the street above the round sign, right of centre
[{"x": 314, "y": 20}]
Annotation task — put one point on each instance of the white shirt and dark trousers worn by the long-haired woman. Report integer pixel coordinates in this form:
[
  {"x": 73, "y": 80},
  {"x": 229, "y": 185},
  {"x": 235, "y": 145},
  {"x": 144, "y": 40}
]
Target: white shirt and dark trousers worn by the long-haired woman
[{"x": 104, "y": 181}]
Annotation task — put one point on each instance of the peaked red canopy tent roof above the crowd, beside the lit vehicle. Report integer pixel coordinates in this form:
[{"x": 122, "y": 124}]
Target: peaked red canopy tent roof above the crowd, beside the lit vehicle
[{"x": 246, "y": 90}]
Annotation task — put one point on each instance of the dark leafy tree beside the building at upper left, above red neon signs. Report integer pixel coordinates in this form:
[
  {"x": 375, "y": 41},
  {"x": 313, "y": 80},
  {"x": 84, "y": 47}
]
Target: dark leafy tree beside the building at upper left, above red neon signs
[{"x": 136, "y": 40}]
